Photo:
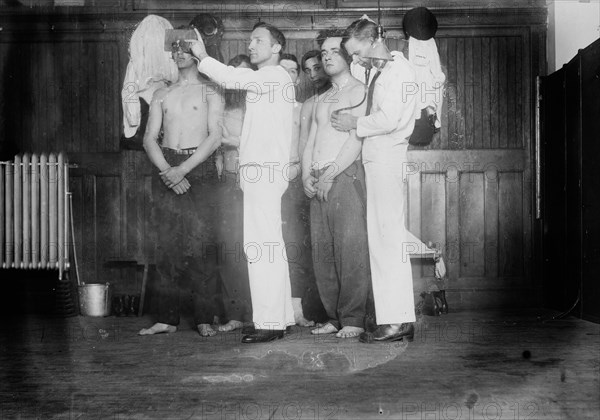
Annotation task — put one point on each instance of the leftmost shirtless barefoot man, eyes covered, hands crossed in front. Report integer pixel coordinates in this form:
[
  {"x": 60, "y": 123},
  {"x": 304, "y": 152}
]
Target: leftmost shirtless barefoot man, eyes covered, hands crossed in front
[{"x": 183, "y": 191}]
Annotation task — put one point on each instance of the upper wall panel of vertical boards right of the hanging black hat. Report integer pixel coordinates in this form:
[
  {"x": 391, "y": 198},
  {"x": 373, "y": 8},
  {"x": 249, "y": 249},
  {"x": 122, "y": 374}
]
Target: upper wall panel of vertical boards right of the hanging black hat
[{"x": 483, "y": 92}]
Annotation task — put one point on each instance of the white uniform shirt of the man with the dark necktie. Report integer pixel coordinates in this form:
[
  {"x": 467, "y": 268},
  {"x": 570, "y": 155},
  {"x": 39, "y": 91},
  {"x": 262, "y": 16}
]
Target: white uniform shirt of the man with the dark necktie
[{"x": 394, "y": 110}]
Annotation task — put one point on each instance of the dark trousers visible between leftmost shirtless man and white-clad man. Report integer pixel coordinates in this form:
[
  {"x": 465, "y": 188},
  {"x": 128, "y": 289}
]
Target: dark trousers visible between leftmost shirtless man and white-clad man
[{"x": 232, "y": 260}]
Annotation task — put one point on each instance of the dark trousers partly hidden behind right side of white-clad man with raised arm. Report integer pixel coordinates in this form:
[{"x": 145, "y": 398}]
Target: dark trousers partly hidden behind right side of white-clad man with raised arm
[{"x": 295, "y": 215}]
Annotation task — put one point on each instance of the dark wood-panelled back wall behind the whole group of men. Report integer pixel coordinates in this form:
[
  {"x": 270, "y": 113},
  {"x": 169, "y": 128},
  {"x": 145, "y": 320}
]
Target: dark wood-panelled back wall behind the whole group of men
[{"x": 470, "y": 194}]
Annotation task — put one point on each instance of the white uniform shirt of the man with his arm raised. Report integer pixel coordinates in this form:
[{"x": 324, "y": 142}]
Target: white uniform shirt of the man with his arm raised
[{"x": 267, "y": 130}]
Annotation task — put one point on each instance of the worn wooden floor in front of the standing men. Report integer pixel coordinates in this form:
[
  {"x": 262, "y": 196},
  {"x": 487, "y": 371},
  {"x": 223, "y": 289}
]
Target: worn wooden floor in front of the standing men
[{"x": 460, "y": 366}]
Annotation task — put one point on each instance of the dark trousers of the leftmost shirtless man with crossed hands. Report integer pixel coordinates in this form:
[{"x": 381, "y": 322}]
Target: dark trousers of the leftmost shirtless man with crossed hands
[{"x": 185, "y": 249}]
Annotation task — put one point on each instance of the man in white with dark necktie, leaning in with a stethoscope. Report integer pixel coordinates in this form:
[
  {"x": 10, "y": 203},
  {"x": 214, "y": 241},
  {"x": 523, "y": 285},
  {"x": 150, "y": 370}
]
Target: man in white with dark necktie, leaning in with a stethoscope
[{"x": 386, "y": 131}]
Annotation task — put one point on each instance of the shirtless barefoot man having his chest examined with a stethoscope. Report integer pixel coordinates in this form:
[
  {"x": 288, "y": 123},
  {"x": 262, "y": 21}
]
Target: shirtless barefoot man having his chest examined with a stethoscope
[{"x": 334, "y": 176}]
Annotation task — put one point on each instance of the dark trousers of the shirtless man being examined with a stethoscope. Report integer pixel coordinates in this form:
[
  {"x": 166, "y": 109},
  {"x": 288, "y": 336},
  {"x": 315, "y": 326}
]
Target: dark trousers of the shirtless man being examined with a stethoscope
[{"x": 340, "y": 249}]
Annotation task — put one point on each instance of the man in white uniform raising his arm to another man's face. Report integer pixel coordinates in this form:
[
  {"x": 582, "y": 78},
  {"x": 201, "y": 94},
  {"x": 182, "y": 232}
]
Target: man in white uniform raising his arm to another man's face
[{"x": 264, "y": 154}]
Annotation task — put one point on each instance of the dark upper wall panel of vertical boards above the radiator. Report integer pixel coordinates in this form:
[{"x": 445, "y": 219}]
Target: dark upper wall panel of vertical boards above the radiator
[{"x": 61, "y": 95}]
